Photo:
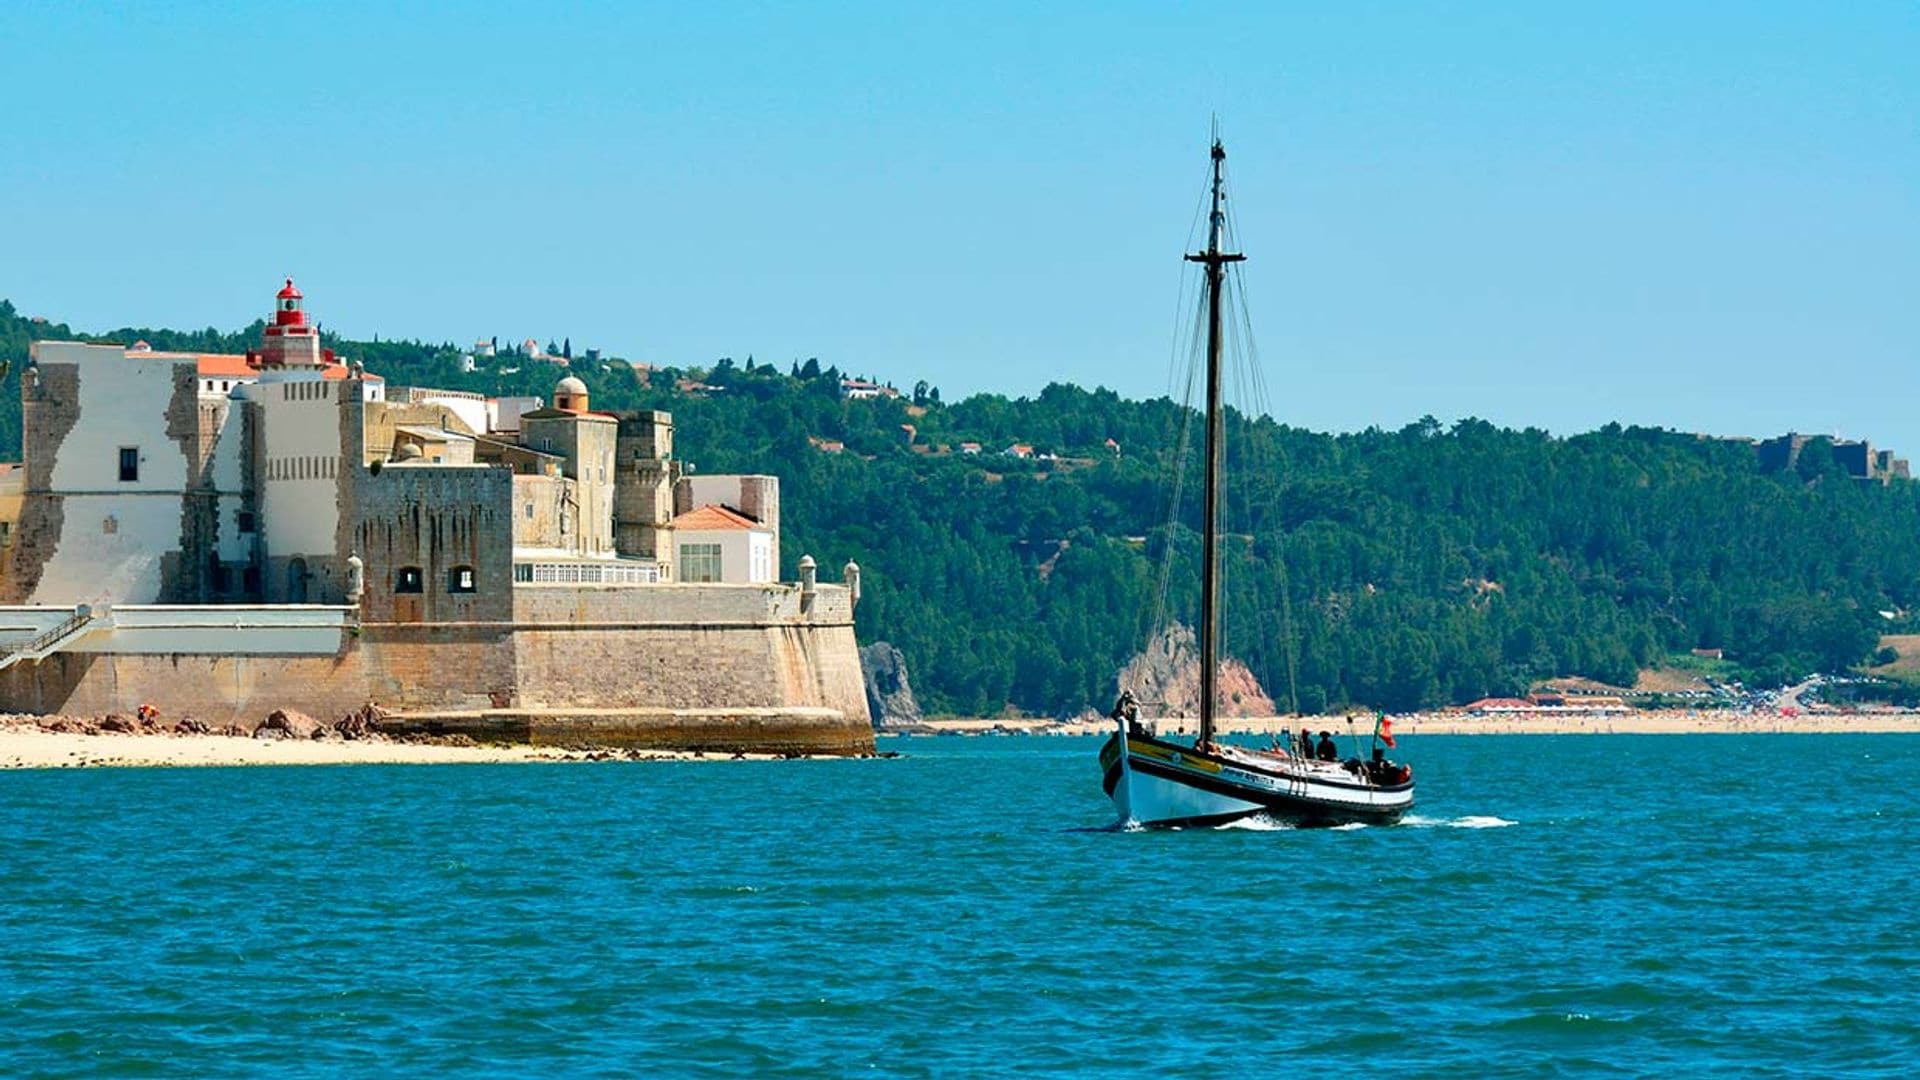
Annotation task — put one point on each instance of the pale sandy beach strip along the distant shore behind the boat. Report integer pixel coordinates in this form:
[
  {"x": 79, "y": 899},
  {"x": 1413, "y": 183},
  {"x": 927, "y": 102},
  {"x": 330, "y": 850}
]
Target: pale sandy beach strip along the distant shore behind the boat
[{"x": 1698, "y": 722}]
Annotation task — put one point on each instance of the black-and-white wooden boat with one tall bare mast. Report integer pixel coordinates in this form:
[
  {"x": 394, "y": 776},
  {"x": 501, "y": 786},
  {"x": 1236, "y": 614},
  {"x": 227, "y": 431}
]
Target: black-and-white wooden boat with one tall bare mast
[{"x": 1163, "y": 783}]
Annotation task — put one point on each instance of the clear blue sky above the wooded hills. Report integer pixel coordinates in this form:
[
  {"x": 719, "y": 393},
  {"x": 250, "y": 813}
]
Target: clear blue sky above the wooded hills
[{"x": 1704, "y": 216}]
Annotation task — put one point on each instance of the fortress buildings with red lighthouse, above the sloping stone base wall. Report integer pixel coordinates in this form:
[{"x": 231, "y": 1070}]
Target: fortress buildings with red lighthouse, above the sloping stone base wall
[{"x": 216, "y": 479}]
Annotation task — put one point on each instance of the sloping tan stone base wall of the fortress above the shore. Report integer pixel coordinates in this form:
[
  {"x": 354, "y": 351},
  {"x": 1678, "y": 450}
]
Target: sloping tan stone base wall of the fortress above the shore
[{"x": 711, "y": 668}]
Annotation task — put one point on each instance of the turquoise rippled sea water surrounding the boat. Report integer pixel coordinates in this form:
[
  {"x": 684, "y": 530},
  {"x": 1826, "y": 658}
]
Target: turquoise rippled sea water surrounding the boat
[{"x": 1631, "y": 906}]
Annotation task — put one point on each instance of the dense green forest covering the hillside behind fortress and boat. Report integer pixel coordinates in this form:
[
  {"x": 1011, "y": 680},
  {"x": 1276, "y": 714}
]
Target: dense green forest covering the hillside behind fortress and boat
[{"x": 1387, "y": 568}]
